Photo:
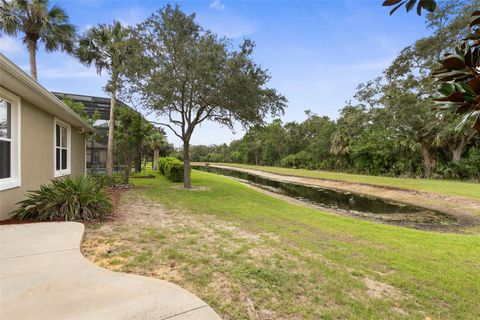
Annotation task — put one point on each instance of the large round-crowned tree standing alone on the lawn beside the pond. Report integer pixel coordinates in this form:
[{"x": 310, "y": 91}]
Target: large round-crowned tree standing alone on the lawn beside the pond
[{"x": 189, "y": 75}]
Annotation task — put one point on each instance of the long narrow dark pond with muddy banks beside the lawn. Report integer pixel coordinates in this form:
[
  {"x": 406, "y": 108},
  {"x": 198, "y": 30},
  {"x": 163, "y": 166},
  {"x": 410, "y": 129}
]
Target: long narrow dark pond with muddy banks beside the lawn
[{"x": 346, "y": 202}]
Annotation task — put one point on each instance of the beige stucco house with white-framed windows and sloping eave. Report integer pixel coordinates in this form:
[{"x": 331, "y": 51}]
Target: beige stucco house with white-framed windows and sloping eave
[{"x": 41, "y": 138}]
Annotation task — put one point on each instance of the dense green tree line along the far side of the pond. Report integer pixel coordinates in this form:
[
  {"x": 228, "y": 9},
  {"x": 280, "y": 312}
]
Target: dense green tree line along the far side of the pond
[{"x": 392, "y": 127}]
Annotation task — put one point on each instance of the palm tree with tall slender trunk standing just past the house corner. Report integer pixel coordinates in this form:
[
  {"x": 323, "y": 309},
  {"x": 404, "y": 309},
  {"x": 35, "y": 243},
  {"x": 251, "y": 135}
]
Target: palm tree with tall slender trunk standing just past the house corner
[{"x": 106, "y": 47}]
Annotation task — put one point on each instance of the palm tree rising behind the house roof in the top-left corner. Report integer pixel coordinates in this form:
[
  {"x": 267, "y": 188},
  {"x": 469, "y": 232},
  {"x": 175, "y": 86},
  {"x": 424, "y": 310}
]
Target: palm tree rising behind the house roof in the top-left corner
[{"x": 37, "y": 22}]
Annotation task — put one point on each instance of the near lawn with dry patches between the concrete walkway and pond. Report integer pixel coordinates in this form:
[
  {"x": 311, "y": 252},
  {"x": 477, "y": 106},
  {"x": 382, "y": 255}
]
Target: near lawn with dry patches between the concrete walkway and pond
[{"x": 251, "y": 256}]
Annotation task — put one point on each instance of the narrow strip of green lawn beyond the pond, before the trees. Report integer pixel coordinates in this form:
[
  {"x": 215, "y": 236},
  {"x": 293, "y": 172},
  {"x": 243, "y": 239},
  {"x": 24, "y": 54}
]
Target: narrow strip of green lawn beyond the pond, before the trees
[{"x": 447, "y": 187}]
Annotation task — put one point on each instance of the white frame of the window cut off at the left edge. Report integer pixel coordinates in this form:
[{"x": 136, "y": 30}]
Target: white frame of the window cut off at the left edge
[{"x": 15, "y": 179}]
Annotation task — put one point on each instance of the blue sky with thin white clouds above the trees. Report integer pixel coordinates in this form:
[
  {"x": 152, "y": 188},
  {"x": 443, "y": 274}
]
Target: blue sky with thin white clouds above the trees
[{"x": 317, "y": 52}]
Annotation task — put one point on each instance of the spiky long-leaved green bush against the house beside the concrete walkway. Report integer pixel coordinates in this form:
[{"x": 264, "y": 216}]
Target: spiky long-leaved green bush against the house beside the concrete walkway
[{"x": 81, "y": 198}]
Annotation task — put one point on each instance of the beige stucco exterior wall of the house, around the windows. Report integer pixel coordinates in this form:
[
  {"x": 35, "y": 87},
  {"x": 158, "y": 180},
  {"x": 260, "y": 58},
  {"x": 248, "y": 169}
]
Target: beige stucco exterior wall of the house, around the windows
[{"x": 37, "y": 151}]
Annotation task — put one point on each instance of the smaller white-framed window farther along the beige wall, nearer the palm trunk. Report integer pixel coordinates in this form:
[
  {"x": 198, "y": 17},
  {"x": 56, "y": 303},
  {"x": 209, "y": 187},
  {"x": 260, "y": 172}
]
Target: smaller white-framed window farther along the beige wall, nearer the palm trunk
[{"x": 62, "y": 148}]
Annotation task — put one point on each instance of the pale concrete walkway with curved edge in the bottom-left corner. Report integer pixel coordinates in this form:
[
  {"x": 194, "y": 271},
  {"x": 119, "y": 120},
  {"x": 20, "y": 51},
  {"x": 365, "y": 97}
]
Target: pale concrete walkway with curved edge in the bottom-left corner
[{"x": 43, "y": 275}]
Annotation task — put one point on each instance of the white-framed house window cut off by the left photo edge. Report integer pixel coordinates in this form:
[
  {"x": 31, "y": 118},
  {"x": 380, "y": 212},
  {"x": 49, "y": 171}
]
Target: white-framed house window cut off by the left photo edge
[{"x": 9, "y": 140}]
